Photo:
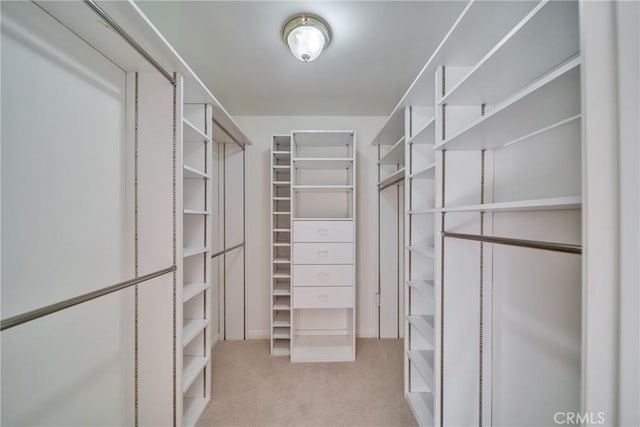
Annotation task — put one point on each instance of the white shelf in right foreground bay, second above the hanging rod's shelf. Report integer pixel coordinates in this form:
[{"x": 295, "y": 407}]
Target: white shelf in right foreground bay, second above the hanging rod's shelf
[{"x": 547, "y": 36}]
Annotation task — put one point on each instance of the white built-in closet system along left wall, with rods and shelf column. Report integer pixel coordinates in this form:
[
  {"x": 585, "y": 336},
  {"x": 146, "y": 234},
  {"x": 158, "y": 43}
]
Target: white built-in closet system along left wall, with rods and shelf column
[{"x": 125, "y": 148}]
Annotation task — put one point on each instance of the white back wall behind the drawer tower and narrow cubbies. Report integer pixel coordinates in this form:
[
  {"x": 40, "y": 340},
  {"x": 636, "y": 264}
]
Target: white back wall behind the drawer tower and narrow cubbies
[{"x": 259, "y": 130}]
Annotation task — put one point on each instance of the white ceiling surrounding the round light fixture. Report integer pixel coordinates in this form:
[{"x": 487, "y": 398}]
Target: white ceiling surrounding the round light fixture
[{"x": 235, "y": 47}]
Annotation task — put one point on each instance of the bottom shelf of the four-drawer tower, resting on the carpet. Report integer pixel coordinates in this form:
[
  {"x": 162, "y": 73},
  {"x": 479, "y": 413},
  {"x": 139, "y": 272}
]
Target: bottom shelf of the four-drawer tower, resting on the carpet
[{"x": 322, "y": 348}]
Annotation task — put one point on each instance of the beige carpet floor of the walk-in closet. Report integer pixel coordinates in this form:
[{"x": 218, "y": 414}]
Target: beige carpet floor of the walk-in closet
[{"x": 252, "y": 388}]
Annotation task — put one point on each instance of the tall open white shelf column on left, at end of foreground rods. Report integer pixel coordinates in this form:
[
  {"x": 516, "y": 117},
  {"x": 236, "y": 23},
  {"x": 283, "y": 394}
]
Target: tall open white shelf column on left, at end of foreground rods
[{"x": 195, "y": 383}]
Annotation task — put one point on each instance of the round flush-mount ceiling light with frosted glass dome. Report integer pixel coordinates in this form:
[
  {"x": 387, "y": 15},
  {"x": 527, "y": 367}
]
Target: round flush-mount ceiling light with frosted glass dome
[{"x": 306, "y": 35}]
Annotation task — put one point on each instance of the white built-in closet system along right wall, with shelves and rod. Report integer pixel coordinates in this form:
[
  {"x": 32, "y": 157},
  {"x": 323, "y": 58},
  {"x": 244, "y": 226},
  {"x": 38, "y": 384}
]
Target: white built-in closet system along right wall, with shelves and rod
[{"x": 492, "y": 128}]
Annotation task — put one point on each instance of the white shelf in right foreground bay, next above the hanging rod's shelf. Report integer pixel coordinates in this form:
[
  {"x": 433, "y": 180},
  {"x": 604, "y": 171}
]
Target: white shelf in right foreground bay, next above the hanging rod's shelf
[{"x": 552, "y": 99}]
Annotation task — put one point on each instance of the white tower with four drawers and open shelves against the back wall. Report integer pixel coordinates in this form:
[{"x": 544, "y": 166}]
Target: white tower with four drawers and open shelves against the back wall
[{"x": 323, "y": 248}]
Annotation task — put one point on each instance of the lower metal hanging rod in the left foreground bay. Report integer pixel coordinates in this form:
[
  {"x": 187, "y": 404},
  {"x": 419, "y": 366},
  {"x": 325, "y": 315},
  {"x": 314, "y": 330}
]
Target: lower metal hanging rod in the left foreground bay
[{"x": 50, "y": 309}]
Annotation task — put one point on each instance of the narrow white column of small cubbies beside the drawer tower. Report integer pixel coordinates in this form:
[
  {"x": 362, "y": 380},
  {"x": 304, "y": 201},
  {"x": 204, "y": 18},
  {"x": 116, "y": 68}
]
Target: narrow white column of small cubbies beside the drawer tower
[{"x": 280, "y": 245}]
